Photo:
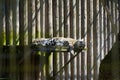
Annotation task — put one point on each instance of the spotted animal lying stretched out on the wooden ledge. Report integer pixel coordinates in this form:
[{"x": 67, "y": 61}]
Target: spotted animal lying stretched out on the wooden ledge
[{"x": 58, "y": 43}]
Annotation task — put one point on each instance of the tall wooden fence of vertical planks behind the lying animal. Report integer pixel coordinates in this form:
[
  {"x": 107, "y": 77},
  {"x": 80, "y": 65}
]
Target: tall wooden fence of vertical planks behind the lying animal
[{"x": 21, "y": 21}]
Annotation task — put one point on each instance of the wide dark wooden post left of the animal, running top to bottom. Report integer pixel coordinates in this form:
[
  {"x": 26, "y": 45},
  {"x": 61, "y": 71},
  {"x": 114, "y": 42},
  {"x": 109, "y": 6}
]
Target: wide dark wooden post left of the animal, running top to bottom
[{"x": 22, "y": 36}]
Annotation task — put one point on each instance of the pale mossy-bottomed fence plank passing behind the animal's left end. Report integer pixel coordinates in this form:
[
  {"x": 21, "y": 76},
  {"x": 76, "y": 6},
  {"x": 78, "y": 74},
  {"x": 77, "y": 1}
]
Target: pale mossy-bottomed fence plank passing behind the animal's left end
[{"x": 37, "y": 59}]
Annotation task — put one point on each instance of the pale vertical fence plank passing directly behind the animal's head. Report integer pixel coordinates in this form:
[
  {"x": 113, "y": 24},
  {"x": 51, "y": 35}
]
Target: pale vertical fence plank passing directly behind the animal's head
[{"x": 78, "y": 36}]
